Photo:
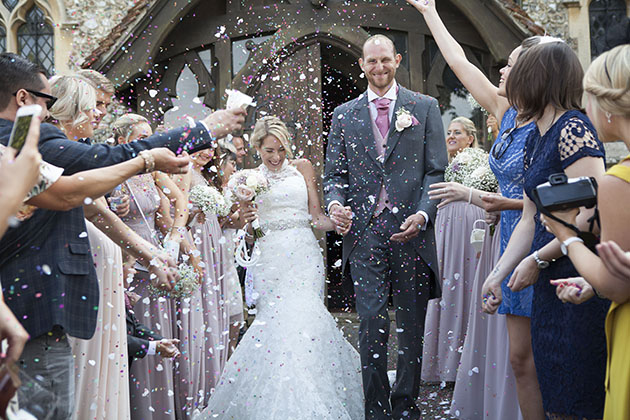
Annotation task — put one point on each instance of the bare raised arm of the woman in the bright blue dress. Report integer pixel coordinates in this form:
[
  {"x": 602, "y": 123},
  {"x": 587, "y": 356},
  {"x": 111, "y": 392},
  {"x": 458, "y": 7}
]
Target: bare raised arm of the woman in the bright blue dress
[{"x": 471, "y": 77}]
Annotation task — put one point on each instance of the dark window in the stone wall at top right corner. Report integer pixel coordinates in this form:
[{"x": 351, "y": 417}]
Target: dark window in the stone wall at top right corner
[{"x": 609, "y": 25}]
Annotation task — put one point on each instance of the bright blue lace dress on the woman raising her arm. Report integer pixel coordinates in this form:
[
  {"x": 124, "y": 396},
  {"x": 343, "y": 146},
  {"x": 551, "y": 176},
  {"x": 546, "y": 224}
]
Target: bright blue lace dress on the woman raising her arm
[{"x": 506, "y": 161}]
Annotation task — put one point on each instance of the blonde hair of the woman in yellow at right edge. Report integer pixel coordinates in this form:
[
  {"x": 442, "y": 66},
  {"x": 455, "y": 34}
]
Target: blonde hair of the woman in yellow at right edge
[{"x": 607, "y": 80}]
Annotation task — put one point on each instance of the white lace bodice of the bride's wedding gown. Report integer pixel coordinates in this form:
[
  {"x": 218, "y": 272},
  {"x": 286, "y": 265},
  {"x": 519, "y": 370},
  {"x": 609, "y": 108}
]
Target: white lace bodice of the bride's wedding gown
[{"x": 285, "y": 204}]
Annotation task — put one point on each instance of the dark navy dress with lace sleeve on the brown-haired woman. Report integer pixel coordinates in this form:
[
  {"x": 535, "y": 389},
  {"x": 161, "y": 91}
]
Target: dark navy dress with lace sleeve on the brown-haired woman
[{"x": 568, "y": 340}]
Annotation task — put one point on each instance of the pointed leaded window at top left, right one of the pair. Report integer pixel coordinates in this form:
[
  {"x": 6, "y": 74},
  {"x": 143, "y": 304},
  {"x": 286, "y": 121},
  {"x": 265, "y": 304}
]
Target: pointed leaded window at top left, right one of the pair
[{"x": 36, "y": 40}]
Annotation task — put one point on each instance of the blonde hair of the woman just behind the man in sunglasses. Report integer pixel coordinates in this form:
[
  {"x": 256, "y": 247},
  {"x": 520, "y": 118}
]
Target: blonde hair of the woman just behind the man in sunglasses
[{"x": 75, "y": 96}]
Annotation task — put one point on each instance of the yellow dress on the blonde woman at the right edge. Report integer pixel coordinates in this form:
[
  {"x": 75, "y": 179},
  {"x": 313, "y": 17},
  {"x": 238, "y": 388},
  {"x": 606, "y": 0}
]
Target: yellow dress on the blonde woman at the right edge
[{"x": 618, "y": 340}]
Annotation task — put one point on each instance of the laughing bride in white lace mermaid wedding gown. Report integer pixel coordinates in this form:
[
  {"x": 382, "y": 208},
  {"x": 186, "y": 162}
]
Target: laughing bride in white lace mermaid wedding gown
[{"x": 292, "y": 363}]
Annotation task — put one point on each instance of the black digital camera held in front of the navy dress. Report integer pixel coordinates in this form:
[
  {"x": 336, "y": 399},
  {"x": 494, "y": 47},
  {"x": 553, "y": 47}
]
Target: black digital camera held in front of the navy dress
[{"x": 562, "y": 193}]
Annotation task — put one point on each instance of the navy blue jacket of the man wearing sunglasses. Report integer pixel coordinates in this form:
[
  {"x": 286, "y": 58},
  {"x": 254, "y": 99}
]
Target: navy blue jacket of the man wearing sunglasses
[{"x": 46, "y": 267}]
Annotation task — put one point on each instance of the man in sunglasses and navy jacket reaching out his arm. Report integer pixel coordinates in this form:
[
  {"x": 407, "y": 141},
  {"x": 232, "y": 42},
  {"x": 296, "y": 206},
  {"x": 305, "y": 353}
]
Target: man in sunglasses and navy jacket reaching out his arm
[{"x": 46, "y": 267}]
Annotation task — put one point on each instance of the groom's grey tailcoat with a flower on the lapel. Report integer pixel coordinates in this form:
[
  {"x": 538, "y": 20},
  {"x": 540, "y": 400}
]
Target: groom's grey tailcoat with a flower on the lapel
[{"x": 414, "y": 159}]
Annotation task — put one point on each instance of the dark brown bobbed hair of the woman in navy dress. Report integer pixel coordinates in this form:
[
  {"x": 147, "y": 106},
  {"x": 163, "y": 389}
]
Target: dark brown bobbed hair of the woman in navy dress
[{"x": 545, "y": 74}]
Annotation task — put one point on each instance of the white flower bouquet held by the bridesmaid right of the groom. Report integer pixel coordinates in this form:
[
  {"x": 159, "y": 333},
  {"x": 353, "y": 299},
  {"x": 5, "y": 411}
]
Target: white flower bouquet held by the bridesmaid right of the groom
[{"x": 471, "y": 168}]
